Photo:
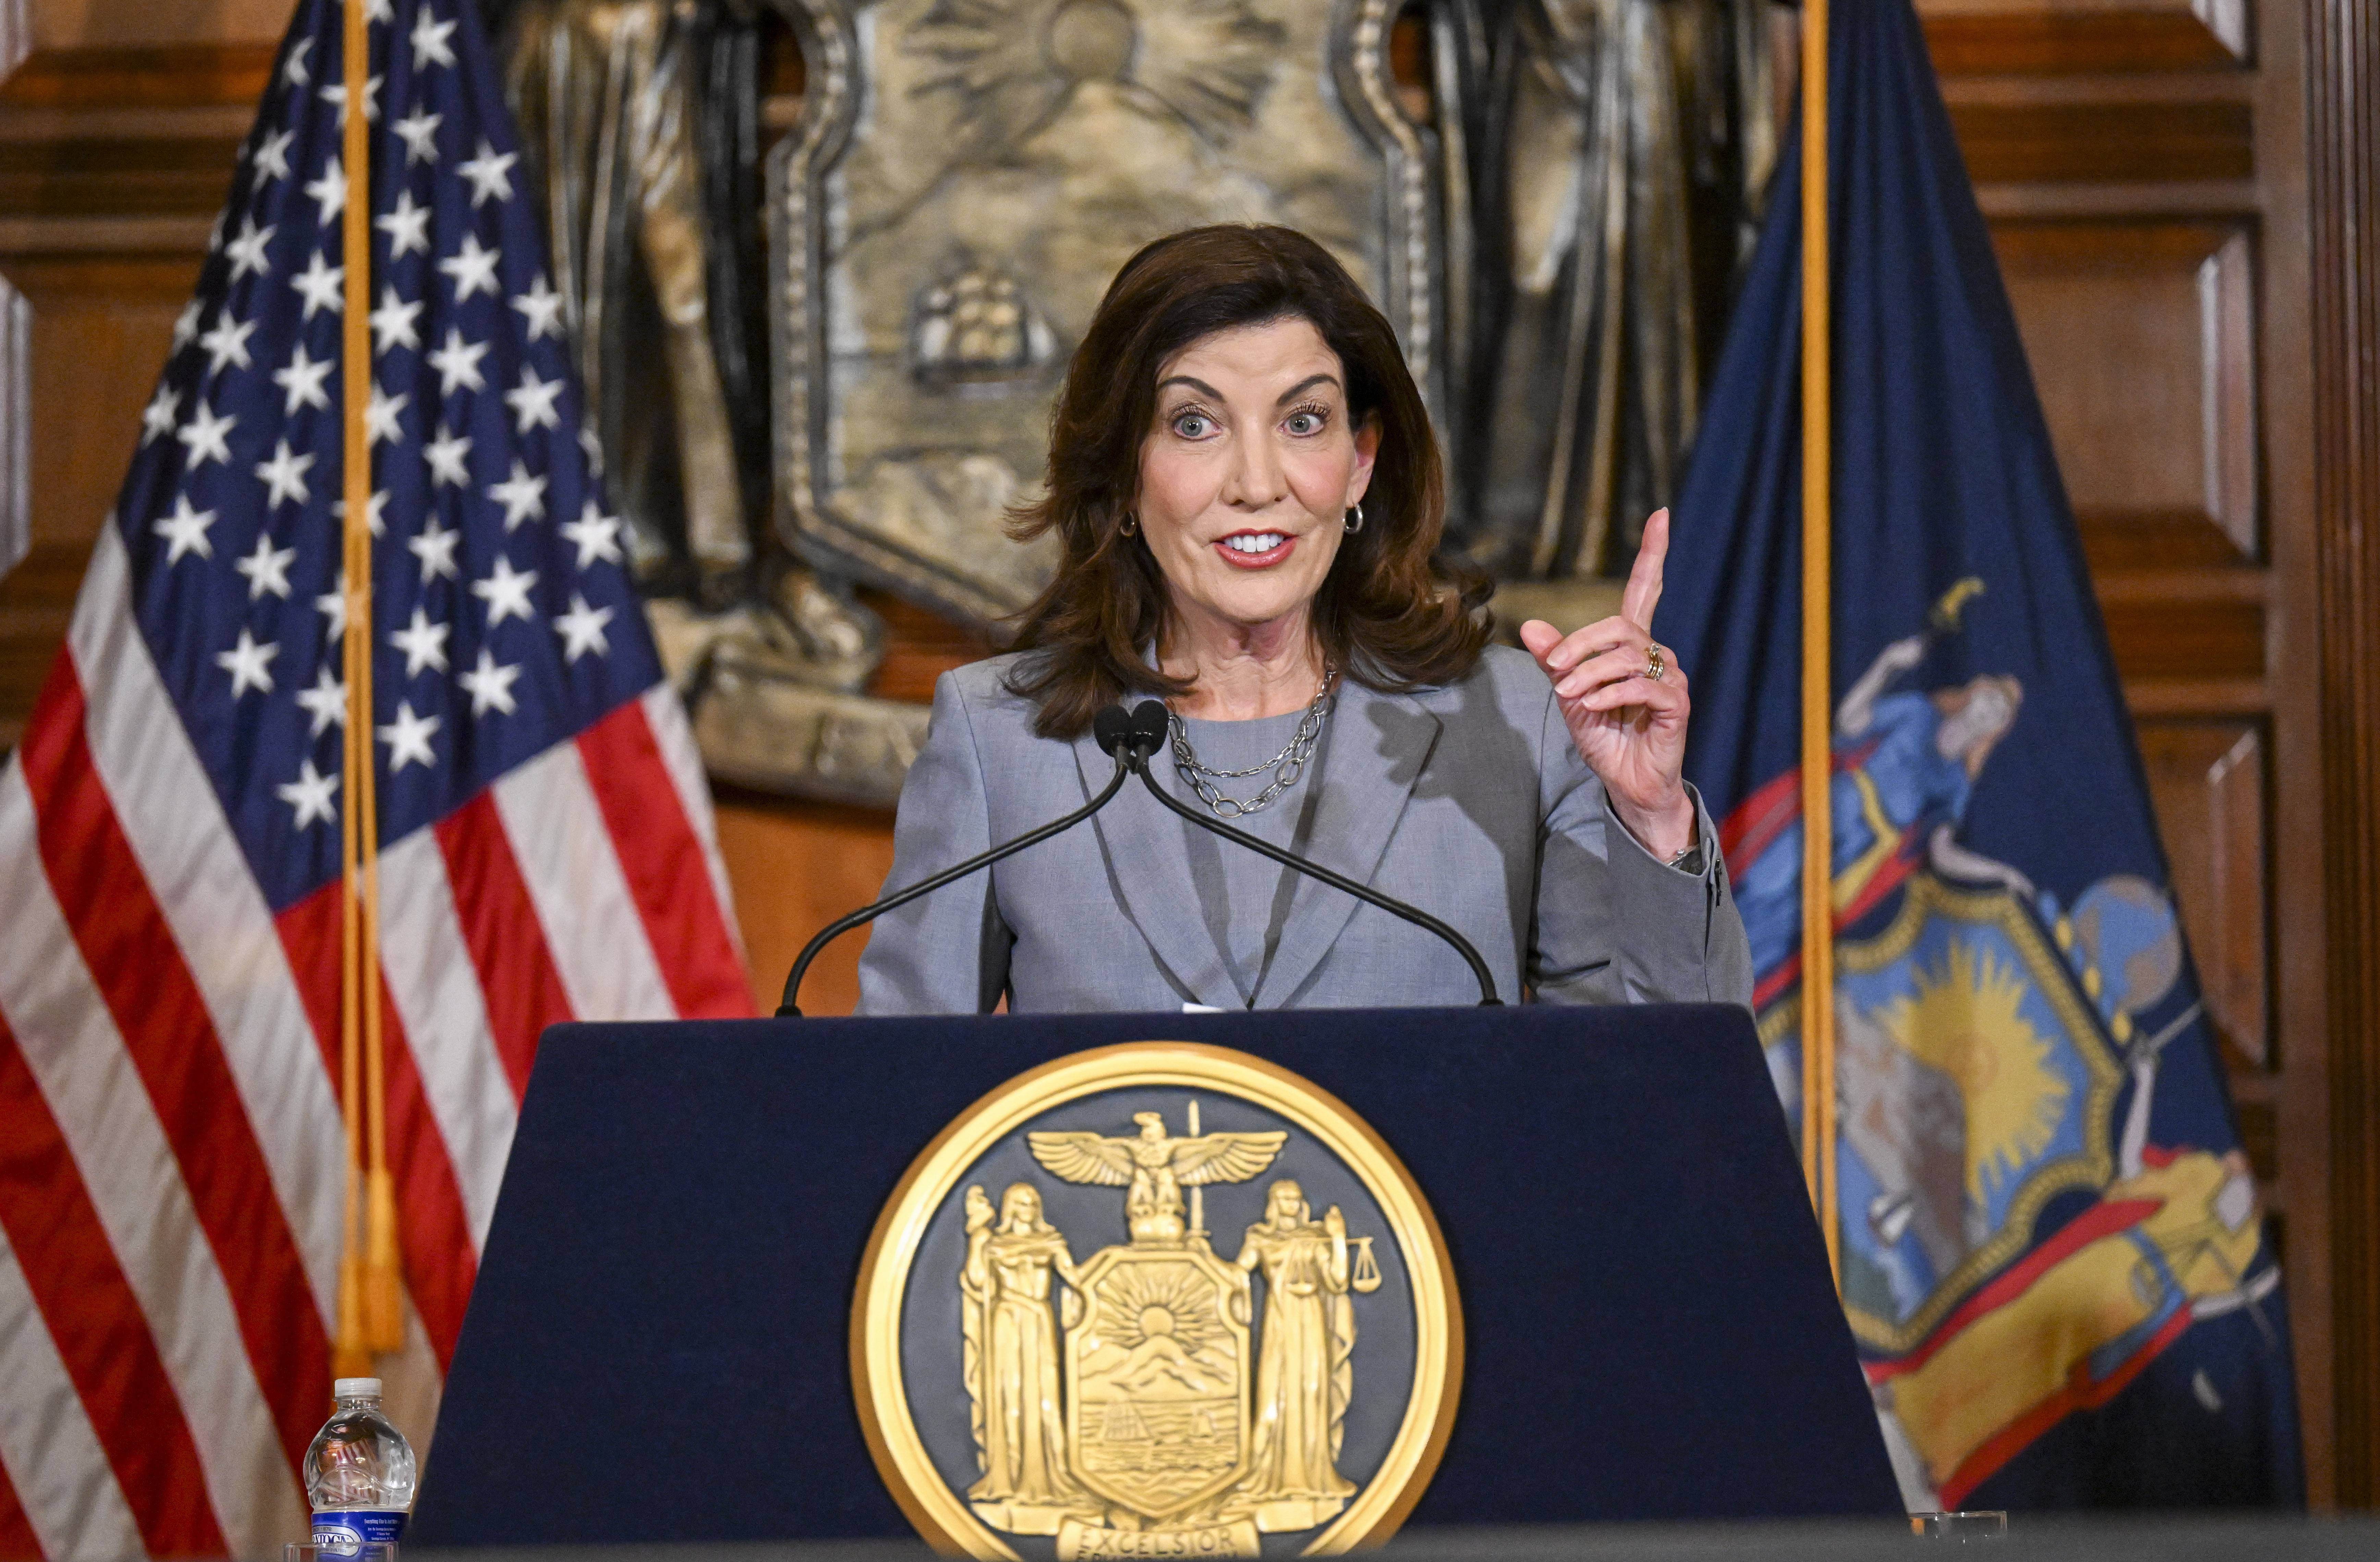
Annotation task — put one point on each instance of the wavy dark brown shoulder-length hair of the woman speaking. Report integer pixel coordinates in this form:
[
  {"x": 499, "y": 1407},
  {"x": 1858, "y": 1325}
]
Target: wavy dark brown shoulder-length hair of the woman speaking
[{"x": 1391, "y": 613}]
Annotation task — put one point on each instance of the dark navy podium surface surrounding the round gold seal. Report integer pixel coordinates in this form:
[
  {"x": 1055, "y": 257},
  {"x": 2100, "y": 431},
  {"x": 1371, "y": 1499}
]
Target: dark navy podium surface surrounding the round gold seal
[{"x": 658, "y": 1342}]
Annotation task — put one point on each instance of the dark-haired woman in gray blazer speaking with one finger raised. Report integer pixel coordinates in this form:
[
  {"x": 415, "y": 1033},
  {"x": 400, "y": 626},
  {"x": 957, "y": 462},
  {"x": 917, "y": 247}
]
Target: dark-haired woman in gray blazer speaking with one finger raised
[{"x": 1248, "y": 504}]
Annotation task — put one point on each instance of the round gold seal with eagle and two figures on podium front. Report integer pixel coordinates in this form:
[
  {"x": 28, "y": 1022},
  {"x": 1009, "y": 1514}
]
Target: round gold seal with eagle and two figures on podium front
[{"x": 1086, "y": 1335}]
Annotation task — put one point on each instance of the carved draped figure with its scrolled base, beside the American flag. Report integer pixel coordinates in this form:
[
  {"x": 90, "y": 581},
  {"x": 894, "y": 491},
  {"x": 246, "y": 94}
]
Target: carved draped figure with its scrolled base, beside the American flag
[{"x": 641, "y": 137}]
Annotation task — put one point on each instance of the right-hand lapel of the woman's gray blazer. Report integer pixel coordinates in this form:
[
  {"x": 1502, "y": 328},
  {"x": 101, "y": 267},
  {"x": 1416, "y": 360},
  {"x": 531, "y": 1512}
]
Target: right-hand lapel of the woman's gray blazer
[{"x": 1374, "y": 756}]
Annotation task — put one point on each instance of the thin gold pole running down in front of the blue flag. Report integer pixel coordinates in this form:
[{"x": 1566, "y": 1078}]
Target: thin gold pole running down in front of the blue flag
[{"x": 1817, "y": 649}]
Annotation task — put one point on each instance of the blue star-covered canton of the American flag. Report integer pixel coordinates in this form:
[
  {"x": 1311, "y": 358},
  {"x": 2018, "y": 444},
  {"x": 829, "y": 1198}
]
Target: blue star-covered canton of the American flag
[{"x": 494, "y": 635}]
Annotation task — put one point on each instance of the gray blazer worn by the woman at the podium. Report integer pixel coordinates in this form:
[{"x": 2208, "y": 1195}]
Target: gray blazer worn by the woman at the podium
[{"x": 1467, "y": 801}]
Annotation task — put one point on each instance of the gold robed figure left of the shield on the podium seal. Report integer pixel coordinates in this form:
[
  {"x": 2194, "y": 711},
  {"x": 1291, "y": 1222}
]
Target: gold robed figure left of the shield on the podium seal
[{"x": 1013, "y": 1361}]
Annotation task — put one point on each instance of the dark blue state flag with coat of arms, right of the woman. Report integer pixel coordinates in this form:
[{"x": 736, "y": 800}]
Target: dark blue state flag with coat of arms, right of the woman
[{"x": 2053, "y": 1251}]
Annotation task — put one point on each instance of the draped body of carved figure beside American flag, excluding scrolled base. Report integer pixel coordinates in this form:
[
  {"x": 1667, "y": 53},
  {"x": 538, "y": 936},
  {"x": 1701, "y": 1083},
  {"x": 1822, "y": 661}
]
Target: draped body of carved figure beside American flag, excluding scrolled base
[{"x": 632, "y": 125}]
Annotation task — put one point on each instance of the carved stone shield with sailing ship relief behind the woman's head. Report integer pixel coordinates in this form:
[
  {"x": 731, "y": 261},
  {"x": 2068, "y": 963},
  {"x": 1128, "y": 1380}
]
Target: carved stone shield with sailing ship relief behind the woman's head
[{"x": 967, "y": 180}]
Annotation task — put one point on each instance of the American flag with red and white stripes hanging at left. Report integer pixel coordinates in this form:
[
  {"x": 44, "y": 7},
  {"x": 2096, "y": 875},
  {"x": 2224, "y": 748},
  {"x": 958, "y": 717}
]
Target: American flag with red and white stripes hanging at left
[{"x": 170, "y": 837}]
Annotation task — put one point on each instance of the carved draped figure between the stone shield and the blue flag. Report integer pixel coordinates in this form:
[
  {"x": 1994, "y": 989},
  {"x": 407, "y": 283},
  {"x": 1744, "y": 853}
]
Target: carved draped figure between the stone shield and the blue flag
[{"x": 1615, "y": 158}]
